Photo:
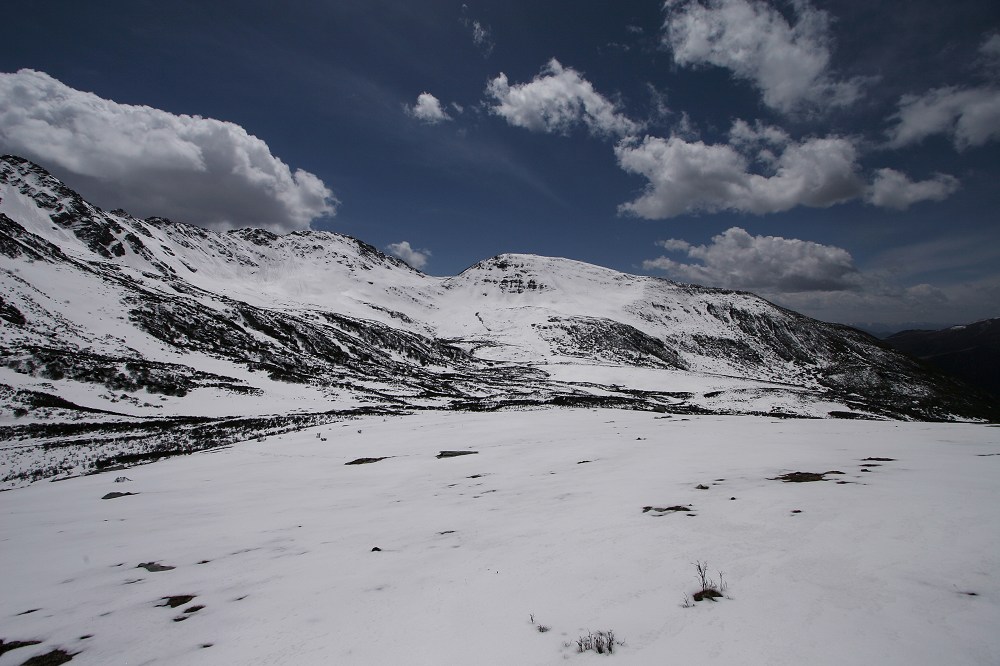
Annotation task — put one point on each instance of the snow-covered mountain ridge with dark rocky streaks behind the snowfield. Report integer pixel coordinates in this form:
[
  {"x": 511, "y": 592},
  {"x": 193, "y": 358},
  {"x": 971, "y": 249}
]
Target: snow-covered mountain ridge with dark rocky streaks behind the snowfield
[{"x": 148, "y": 336}]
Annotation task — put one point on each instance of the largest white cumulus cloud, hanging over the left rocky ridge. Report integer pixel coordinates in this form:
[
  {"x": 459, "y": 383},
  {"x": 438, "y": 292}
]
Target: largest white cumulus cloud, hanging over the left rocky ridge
[{"x": 193, "y": 169}]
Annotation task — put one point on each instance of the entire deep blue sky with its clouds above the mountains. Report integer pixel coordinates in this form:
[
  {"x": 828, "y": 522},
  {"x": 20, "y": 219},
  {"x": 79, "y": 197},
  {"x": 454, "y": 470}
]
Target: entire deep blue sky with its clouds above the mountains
[{"x": 840, "y": 158}]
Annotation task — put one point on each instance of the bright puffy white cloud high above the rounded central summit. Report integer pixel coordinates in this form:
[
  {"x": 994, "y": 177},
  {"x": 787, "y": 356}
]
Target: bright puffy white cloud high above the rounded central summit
[{"x": 556, "y": 101}]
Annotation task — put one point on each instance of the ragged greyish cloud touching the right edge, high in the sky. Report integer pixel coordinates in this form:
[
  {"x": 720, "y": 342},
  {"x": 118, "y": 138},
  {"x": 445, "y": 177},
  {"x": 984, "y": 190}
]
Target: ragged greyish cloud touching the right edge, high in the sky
[{"x": 970, "y": 116}]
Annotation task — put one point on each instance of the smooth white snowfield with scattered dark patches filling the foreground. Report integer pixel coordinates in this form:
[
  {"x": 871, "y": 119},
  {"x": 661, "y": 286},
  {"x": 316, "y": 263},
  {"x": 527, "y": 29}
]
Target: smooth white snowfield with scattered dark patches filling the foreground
[{"x": 543, "y": 527}]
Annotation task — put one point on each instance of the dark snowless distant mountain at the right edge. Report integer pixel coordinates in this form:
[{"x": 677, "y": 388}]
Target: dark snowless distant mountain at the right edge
[{"x": 970, "y": 352}]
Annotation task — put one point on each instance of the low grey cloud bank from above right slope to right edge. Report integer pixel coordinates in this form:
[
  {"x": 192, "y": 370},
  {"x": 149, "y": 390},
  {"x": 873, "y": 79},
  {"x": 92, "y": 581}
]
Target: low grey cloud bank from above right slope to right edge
[{"x": 822, "y": 281}]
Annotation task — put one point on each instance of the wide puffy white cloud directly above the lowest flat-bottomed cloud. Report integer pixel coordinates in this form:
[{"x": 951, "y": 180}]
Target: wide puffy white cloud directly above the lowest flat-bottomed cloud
[{"x": 691, "y": 176}]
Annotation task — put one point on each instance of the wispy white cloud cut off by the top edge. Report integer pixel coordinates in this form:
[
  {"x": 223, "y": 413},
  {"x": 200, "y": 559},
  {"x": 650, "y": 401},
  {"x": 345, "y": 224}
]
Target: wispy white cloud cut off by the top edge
[{"x": 788, "y": 63}]
